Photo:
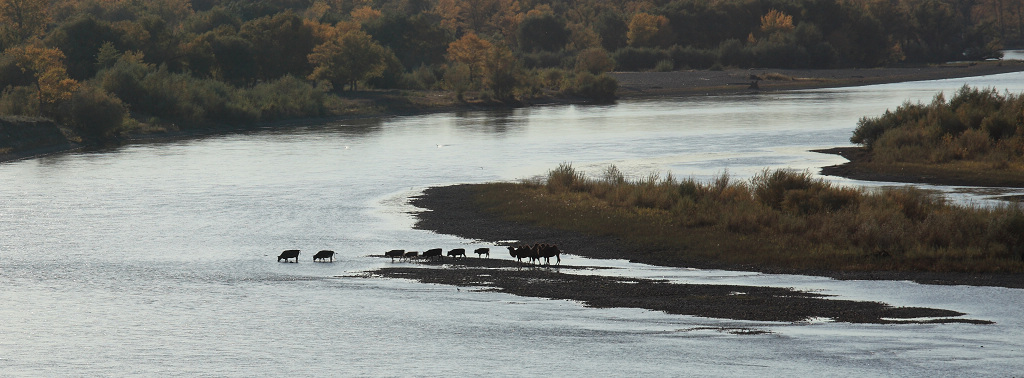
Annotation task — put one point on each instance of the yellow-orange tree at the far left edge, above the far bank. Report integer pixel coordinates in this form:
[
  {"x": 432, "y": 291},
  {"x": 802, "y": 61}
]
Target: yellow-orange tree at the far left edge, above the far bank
[{"x": 48, "y": 67}]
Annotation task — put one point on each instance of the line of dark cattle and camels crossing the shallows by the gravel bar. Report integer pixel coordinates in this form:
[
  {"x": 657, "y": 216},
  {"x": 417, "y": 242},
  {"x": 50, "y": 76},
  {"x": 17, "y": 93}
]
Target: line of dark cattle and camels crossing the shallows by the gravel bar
[{"x": 535, "y": 254}]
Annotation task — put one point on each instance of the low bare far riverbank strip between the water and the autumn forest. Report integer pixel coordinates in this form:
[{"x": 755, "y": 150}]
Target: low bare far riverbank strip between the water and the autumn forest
[{"x": 631, "y": 86}]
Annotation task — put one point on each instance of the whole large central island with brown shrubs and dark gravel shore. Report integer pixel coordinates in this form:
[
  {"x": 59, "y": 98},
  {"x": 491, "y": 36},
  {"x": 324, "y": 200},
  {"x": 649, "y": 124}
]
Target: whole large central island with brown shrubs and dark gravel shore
[{"x": 779, "y": 222}]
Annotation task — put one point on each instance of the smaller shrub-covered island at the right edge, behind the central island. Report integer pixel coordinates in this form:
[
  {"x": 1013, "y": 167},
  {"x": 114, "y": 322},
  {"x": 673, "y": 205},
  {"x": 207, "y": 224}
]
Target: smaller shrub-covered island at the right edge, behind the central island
[{"x": 974, "y": 139}]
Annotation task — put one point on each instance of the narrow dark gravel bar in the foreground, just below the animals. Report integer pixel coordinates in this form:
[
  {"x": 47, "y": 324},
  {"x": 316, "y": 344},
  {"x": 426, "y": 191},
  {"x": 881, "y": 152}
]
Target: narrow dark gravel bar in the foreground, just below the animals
[{"x": 722, "y": 302}]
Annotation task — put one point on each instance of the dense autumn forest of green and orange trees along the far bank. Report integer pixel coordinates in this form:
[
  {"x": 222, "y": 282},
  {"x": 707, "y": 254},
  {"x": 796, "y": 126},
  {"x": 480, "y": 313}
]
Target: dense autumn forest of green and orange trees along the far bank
[{"x": 104, "y": 66}]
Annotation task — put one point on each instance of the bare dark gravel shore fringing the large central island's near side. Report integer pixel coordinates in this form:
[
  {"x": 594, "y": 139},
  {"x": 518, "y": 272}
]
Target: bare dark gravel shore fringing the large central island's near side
[{"x": 452, "y": 211}]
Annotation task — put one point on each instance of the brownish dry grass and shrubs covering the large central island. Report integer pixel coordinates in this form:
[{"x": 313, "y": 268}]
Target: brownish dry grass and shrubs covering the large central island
[{"x": 778, "y": 219}]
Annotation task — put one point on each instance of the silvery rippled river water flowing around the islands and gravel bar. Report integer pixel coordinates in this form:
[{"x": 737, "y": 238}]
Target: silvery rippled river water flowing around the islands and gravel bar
[{"x": 160, "y": 259}]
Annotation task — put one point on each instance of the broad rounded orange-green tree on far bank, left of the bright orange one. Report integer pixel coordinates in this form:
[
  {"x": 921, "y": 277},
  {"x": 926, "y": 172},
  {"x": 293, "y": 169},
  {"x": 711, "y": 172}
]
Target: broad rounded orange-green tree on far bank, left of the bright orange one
[{"x": 352, "y": 58}]
